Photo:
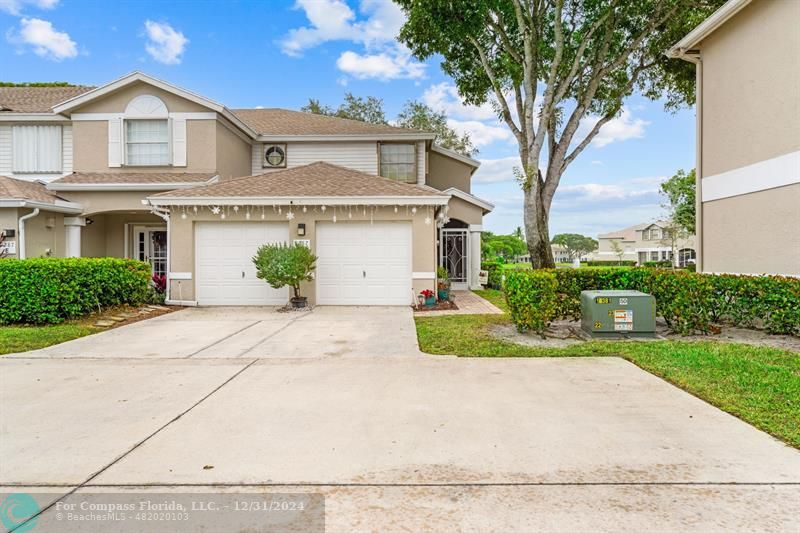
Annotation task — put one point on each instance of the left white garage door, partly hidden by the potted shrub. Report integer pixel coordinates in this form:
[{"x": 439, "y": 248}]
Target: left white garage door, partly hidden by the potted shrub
[{"x": 224, "y": 270}]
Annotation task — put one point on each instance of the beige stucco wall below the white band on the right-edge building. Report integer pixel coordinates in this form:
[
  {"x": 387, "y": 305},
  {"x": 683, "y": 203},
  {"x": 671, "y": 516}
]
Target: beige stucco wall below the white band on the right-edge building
[{"x": 767, "y": 240}]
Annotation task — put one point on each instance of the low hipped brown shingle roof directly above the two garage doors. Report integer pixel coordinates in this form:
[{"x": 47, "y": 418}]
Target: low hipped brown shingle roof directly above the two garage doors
[{"x": 318, "y": 179}]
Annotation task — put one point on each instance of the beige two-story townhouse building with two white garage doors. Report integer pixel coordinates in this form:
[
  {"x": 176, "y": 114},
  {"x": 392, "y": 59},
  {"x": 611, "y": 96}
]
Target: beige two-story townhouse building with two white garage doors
[{"x": 140, "y": 168}]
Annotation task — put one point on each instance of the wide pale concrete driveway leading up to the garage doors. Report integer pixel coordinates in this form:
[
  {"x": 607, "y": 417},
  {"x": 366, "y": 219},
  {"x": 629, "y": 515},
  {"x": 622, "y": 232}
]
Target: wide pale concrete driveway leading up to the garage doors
[{"x": 393, "y": 439}]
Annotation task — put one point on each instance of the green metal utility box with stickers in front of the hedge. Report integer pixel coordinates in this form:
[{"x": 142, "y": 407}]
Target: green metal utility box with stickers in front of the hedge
[{"x": 614, "y": 314}]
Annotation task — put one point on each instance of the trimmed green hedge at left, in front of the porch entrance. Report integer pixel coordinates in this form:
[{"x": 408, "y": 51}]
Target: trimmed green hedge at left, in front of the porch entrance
[{"x": 51, "y": 290}]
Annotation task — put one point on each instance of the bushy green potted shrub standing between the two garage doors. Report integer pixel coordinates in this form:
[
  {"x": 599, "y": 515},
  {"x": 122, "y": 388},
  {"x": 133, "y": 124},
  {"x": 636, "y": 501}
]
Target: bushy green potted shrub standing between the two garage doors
[{"x": 283, "y": 264}]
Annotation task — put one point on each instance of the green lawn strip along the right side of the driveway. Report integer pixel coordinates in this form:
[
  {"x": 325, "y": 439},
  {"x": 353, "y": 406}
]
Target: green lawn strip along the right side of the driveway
[{"x": 759, "y": 385}]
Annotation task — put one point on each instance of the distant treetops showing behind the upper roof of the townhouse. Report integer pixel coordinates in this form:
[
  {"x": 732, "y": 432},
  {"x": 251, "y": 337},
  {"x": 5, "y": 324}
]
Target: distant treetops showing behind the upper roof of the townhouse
[{"x": 415, "y": 115}]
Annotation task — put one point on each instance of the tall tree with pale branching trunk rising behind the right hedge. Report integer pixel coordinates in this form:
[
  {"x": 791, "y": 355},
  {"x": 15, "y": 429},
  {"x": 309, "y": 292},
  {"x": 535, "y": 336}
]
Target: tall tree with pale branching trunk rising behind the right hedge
[{"x": 557, "y": 72}]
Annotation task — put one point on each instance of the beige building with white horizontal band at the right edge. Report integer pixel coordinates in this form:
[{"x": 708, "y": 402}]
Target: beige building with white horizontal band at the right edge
[{"x": 748, "y": 136}]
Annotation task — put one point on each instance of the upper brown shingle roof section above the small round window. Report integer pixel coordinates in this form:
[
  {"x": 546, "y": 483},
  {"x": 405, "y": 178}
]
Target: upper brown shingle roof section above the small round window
[{"x": 273, "y": 121}]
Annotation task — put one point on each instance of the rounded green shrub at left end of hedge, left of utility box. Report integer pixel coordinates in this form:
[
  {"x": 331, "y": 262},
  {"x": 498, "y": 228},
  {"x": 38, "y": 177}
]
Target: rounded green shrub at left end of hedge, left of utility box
[{"x": 532, "y": 299}]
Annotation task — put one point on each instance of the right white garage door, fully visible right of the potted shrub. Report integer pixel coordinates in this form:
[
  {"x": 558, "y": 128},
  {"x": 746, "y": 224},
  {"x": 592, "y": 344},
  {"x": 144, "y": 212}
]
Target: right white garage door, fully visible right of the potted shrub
[{"x": 362, "y": 263}]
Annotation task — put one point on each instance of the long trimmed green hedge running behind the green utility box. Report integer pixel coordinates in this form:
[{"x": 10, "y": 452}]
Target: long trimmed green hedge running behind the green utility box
[{"x": 687, "y": 301}]
